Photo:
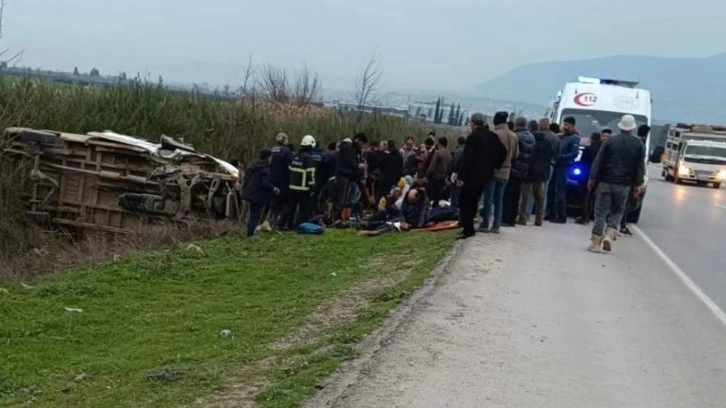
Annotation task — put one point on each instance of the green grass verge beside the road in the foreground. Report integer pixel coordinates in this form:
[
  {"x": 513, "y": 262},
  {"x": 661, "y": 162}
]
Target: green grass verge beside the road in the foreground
[{"x": 149, "y": 331}]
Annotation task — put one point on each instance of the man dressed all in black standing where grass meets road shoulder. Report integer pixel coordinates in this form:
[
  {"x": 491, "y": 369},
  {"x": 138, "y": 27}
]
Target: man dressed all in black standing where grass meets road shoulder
[{"x": 484, "y": 153}]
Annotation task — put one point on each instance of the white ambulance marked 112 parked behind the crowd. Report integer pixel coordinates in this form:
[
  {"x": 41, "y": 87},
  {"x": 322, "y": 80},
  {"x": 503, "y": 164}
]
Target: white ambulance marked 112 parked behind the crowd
[{"x": 597, "y": 104}]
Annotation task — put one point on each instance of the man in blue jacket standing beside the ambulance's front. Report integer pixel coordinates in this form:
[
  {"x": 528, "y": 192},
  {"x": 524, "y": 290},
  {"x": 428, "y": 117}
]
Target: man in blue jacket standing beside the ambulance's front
[{"x": 569, "y": 149}]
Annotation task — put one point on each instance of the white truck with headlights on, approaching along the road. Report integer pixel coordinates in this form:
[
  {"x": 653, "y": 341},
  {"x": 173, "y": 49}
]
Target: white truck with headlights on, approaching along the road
[{"x": 695, "y": 153}]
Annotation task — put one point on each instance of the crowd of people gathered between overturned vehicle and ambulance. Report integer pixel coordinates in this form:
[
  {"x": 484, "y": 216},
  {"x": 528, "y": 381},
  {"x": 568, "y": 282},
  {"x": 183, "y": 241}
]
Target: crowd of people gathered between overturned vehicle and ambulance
[{"x": 510, "y": 173}]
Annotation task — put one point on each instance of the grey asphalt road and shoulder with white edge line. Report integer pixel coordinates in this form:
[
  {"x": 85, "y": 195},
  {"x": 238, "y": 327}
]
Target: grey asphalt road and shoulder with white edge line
[{"x": 531, "y": 319}]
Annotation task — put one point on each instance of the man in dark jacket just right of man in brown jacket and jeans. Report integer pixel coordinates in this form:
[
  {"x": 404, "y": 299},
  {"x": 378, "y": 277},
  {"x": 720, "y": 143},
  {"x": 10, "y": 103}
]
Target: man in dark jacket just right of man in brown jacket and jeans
[{"x": 519, "y": 173}]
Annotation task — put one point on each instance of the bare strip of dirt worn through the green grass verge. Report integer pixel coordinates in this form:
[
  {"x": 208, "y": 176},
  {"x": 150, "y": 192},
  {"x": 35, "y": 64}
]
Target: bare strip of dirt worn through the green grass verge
[{"x": 348, "y": 305}]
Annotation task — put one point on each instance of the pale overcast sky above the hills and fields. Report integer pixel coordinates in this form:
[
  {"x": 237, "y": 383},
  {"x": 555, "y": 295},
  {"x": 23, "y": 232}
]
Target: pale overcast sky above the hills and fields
[{"x": 430, "y": 44}]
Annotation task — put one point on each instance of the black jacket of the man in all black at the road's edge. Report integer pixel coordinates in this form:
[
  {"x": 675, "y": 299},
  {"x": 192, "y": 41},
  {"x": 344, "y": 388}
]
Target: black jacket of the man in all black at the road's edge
[{"x": 483, "y": 154}]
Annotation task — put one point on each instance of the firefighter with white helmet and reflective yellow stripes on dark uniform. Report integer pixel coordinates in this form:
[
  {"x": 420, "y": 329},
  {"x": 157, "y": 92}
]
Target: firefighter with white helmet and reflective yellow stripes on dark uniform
[{"x": 302, "y": 184}]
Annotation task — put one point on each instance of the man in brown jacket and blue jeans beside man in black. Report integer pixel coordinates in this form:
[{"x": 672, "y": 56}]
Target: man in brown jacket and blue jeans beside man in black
[{"x": 494, "y": 189}]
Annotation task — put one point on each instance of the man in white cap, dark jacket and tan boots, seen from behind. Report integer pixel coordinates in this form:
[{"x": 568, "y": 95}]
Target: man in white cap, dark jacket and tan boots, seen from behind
[{"x": 619, "y": 165}]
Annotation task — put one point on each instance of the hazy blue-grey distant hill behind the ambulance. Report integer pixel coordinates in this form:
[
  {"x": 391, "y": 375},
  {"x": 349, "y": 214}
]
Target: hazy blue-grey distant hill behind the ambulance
[{"x": 683, "y": 89}]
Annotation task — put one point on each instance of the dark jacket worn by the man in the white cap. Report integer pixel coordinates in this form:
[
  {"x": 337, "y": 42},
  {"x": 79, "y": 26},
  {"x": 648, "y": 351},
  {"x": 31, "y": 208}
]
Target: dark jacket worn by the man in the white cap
[{"x": 621, "y": 160}]
